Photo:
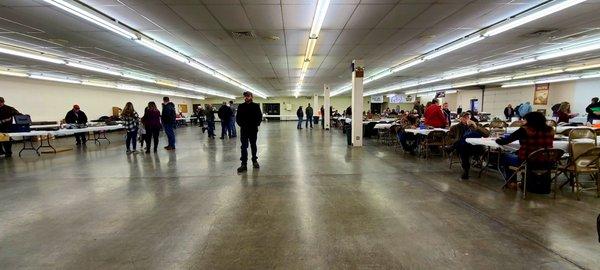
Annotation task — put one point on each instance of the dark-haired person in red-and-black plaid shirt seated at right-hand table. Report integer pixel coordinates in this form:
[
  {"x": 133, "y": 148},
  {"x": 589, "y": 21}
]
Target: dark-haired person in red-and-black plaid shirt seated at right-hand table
[{"x": 535, "y": 134}]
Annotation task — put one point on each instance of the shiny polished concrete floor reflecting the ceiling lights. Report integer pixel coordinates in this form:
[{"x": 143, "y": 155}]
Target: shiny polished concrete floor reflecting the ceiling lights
[{"x": 314, "y": 204}]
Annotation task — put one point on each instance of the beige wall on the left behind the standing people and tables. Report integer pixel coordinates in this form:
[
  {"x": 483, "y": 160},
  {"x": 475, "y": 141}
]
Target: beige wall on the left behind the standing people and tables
[{"x": 50, "y": 101}]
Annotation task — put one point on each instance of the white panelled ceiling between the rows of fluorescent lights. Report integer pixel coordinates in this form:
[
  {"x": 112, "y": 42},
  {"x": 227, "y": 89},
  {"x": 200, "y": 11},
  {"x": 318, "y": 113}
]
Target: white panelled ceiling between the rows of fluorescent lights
[{"x": 381, "y": 32}]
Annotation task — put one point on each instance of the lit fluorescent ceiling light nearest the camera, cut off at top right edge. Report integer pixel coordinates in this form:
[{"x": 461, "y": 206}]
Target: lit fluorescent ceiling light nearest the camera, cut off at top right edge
[{"x": 534, "y": 15}]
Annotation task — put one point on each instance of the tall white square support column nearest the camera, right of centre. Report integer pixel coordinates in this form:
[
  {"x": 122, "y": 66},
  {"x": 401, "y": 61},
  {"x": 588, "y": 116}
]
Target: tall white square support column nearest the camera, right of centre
[{"x": 357, "y": 102}]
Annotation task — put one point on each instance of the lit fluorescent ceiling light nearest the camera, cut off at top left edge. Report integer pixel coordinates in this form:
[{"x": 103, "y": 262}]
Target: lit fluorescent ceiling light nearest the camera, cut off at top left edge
[{"x": 82, "y": 12}]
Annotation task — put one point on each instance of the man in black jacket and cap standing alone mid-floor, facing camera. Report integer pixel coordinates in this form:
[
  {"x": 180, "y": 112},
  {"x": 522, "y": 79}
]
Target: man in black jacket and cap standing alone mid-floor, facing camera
[{"x": 248, "y": 118}]
